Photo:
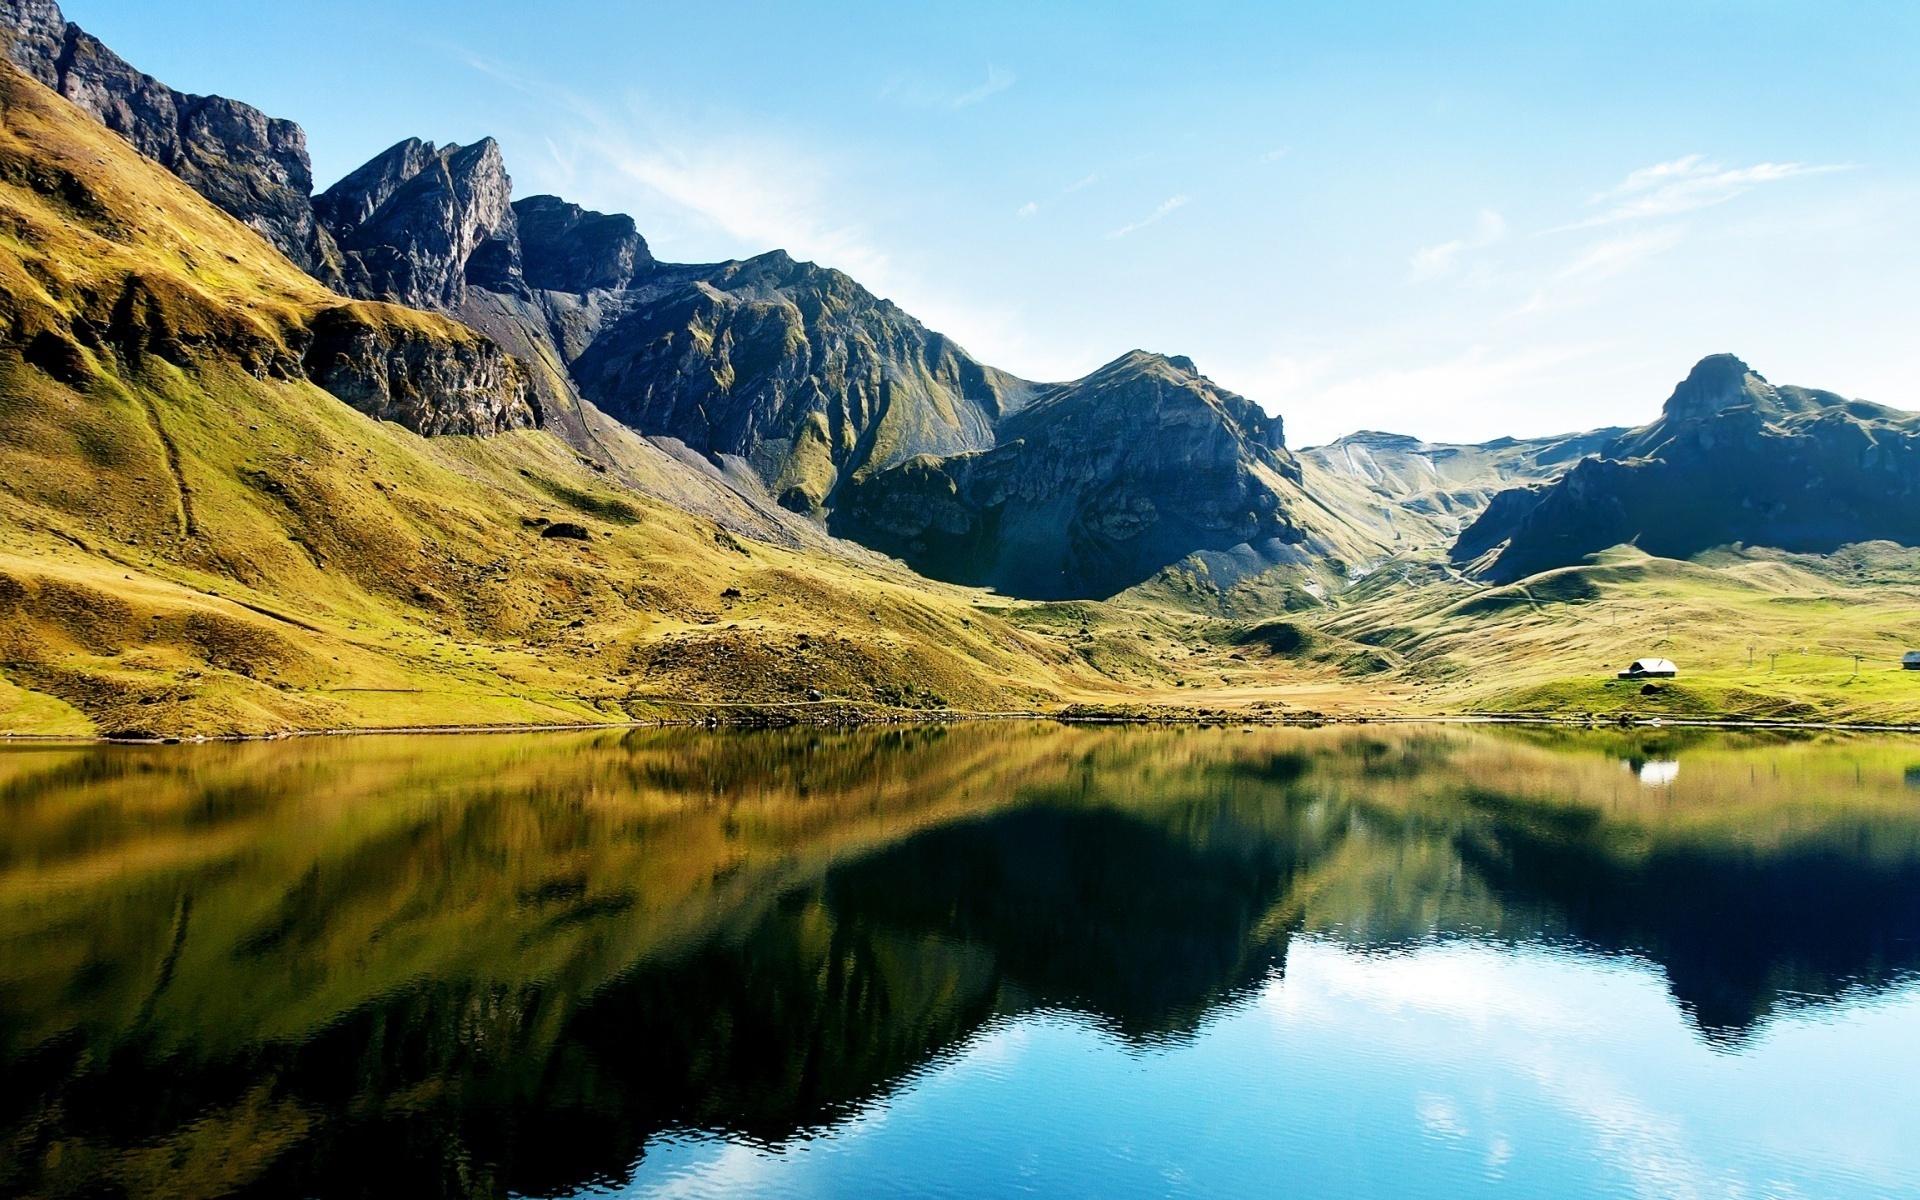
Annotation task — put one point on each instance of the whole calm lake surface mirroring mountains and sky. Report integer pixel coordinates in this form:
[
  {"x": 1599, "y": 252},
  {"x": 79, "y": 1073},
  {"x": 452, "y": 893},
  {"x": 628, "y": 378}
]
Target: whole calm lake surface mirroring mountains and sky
[{"x": 986, "y": 961}]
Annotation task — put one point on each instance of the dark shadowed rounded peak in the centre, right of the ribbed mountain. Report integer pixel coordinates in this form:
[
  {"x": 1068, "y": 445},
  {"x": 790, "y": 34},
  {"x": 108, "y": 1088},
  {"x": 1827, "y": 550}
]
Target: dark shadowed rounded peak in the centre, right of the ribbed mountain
[{"x": 1095, "y": 487}]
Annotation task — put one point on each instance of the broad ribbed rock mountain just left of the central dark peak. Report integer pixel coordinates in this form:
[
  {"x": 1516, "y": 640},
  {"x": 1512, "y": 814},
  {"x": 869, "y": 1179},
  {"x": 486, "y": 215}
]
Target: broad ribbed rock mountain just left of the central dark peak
[{"x": 794, "y": 368}]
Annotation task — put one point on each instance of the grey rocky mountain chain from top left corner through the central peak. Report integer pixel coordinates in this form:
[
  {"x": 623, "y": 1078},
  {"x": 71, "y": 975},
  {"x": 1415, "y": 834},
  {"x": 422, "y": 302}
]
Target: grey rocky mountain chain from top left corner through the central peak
[{"x": 834, "y": 400}]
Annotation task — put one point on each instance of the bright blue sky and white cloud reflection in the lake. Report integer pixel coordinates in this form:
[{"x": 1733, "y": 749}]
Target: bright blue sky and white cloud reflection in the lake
[{"x": 1452, "y": 1070}]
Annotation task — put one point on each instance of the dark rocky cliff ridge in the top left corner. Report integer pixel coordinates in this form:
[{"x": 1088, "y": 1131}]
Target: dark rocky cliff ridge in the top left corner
[{"x": 249, "y": 164}]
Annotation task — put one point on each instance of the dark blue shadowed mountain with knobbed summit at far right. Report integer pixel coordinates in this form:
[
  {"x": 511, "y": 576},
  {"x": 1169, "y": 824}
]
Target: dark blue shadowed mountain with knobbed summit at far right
[{"x": 1731, "y": 460}]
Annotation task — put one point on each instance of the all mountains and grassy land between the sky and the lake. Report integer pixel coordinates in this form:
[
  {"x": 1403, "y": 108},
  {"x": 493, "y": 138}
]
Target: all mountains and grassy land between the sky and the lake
[{"x": 416, "y": 452}]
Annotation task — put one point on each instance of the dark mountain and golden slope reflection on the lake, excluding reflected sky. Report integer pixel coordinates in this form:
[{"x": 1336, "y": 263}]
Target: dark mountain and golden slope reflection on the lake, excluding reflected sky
[{"x": 429, "y": 967}]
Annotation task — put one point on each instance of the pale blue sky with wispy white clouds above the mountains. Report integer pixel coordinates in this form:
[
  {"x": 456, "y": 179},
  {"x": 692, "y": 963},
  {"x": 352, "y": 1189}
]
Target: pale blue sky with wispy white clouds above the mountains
[{"x": 1449, "y": 220}]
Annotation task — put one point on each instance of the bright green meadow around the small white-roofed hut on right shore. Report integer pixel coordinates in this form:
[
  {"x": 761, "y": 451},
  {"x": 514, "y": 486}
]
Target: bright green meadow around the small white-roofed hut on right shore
[{"x": 1762, "y": 636}]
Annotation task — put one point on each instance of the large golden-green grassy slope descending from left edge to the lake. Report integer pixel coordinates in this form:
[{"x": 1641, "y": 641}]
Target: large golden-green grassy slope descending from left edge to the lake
[{"x": 195, "y": 539}]
